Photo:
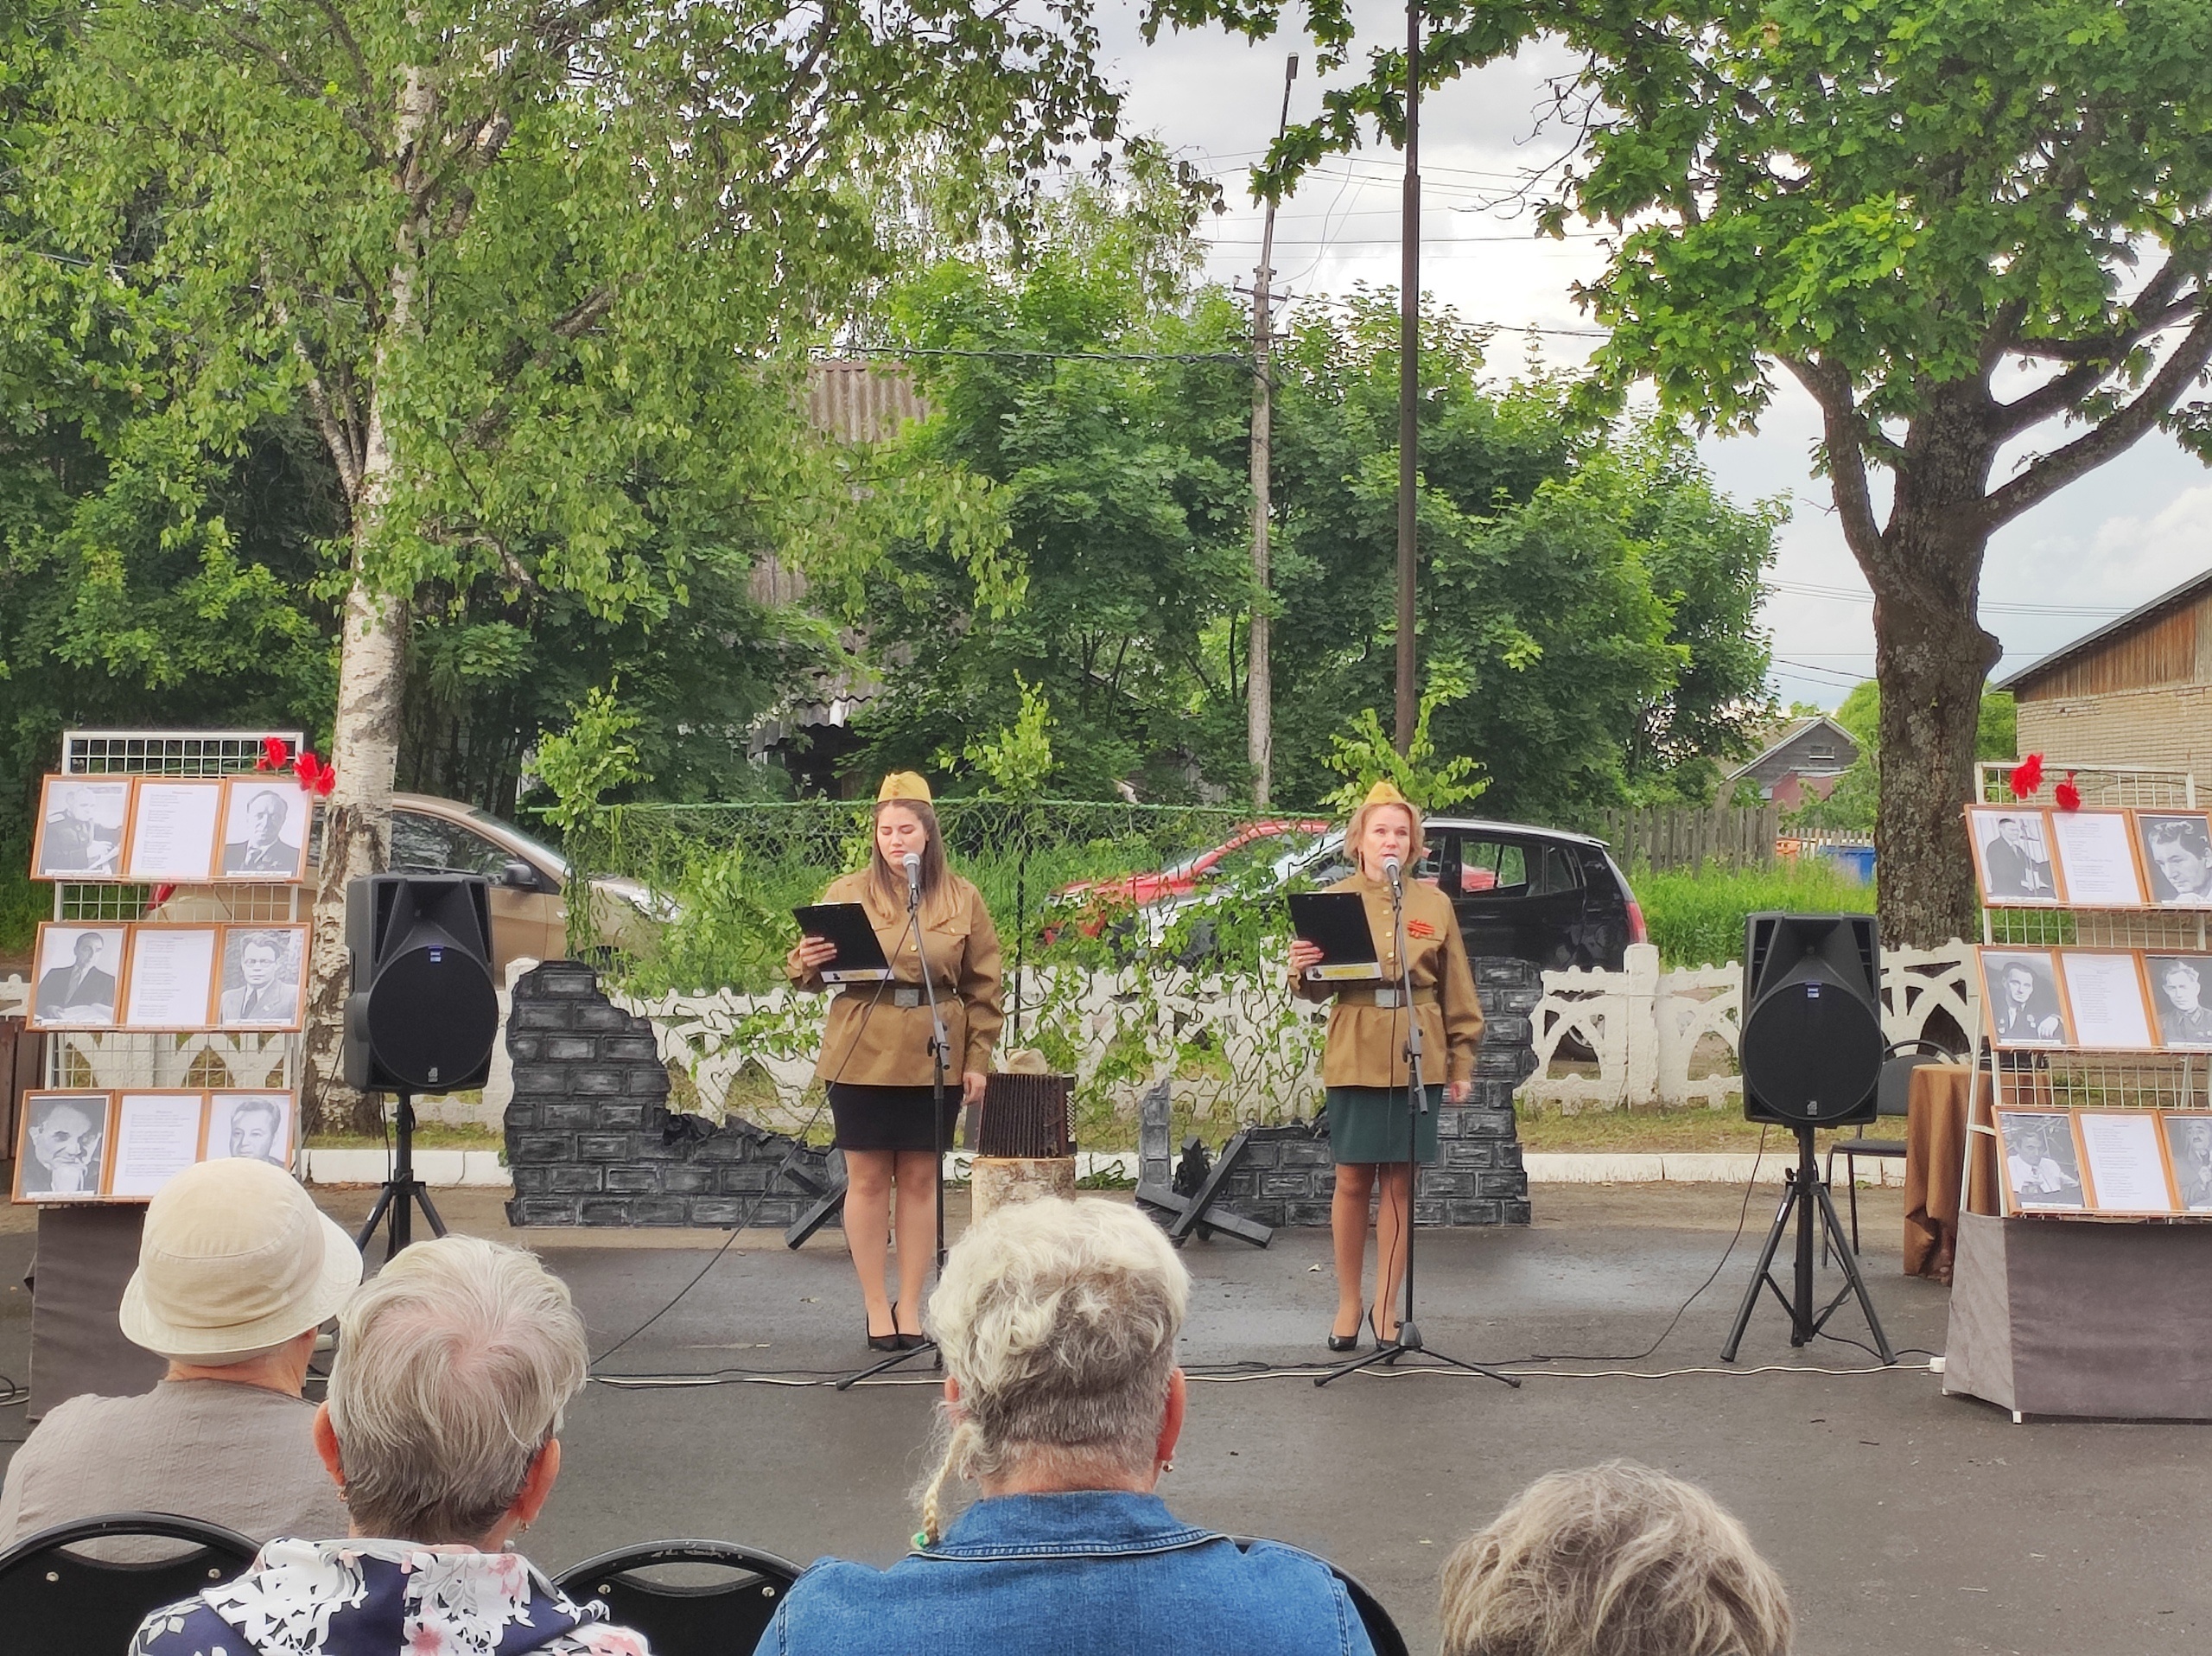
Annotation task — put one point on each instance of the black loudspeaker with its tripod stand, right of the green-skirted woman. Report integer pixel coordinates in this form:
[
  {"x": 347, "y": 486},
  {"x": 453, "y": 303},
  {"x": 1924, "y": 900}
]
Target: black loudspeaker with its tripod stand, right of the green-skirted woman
[{"x": 1813, "y": 1057}]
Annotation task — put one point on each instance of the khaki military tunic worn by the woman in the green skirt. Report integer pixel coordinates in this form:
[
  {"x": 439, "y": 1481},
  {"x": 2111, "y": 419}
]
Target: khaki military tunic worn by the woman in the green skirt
[{"x": 1366, "y": 1039}]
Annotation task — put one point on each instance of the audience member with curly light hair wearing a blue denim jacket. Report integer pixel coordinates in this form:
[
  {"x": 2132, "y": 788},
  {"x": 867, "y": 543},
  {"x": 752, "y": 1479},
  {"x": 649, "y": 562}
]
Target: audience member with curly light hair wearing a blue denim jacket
[{"x": 1063, "y": 1403}]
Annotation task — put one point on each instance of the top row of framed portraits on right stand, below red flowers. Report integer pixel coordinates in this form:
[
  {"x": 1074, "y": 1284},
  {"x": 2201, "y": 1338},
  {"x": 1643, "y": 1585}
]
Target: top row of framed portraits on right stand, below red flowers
[{"x": 2105, "y": 860}]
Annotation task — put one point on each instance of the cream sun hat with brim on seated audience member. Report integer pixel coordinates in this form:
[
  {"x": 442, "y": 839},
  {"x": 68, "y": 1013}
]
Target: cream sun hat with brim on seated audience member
[{"x": 236, "y": 1259}]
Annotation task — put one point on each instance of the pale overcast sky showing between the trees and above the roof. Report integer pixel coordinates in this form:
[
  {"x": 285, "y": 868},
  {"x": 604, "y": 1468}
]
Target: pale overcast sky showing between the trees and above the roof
[{"x": 2116, "y": 539}]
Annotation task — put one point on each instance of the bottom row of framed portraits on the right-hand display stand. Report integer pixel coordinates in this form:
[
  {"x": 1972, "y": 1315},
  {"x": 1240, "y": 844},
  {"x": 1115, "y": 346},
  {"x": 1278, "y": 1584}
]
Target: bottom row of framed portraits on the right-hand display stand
[{"x": 2105, "y": 1163}]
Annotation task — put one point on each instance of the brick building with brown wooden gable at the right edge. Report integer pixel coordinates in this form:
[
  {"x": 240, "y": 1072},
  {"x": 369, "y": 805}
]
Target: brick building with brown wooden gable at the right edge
[{"x": 2138, "y": 692}]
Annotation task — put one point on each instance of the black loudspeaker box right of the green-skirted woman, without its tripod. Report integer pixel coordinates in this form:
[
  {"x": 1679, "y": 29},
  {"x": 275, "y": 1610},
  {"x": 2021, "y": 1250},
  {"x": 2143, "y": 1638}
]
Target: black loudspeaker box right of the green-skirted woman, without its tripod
[{"x": 1813, "y": 1020}]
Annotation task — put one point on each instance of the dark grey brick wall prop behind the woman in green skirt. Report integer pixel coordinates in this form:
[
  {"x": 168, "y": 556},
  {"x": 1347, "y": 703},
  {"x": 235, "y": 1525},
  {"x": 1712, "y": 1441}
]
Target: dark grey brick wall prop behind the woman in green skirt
[{"x": 1479, "y": 1179}]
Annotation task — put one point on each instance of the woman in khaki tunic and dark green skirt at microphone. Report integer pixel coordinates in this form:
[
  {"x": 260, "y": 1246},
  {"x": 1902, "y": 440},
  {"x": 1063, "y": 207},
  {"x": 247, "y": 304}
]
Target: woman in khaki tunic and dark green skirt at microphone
[{"x": 1364, "y": 1066}]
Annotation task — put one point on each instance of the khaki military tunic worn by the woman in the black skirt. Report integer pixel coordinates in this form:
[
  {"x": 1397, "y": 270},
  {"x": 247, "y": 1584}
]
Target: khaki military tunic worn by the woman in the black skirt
[{"x": 873, "y": 1039}]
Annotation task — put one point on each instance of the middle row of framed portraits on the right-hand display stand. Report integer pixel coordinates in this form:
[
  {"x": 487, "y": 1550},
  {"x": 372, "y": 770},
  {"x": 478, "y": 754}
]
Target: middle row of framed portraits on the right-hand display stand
[{"x": 2096, "y": 1000}]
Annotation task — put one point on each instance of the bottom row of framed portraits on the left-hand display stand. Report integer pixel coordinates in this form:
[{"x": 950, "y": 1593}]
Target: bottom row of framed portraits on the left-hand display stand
[{"x": 123, "y": 1146}]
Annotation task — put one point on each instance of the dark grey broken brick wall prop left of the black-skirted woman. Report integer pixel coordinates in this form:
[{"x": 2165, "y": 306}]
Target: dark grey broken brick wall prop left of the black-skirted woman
[{"x": 589, "y": 1135}]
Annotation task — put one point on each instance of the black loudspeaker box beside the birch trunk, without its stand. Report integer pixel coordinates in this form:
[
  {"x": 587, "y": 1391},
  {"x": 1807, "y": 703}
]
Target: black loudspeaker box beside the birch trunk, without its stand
[{"x": 424, "y": 1011}]
